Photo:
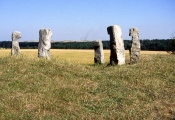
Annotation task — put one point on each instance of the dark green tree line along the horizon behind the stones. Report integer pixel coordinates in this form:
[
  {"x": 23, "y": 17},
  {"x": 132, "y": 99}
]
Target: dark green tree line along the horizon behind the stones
[{"x": 153, "y": 45}]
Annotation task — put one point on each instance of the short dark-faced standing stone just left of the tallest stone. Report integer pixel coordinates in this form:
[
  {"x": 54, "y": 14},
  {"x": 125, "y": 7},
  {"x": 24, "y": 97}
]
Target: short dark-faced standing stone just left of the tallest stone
[{"x": 98, "y": 50}]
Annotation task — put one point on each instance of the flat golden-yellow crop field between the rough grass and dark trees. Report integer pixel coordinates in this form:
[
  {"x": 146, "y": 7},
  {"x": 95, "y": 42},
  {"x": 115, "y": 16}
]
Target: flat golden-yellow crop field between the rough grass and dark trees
[{"x": 73, "y": 55}]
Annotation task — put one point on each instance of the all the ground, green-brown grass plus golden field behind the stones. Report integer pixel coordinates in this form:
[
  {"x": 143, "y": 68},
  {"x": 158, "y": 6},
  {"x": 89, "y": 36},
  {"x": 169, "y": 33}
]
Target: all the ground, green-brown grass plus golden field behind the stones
[{"x": 71, "y": 86}]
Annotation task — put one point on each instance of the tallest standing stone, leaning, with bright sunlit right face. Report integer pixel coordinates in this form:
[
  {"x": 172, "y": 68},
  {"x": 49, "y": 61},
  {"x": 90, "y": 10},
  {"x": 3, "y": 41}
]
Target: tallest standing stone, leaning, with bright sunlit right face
[{"x": 117, "y": 55}]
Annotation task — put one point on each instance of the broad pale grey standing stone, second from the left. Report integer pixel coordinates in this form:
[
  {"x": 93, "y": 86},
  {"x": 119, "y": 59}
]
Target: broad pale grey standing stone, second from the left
[{"x": 44, "y": 43}]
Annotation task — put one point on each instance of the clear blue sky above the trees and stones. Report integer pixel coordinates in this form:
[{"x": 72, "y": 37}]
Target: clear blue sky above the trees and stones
[{"x": 86, "y": 19}]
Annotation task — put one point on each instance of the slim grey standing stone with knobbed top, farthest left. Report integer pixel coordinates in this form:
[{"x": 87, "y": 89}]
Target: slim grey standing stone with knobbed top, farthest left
[{"x": 15, "y": 44}]
